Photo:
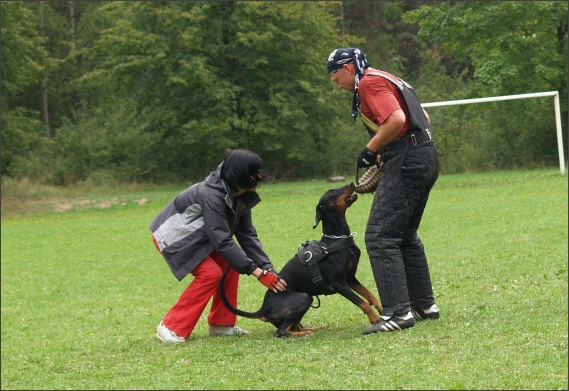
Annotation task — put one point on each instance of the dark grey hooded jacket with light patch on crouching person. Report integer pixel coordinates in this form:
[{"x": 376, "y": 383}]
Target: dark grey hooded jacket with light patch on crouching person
[{"x": 204, "y": 218}]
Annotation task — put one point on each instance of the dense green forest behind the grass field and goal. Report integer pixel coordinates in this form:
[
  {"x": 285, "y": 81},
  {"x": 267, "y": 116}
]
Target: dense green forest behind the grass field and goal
[{"x": 156, "y": 91}]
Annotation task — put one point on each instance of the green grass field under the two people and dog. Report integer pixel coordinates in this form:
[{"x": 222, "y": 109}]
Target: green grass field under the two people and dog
[{"x": 83, "y": 290}]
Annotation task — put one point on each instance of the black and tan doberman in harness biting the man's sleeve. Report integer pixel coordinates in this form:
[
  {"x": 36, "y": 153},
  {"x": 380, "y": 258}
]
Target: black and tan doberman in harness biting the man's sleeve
[{"x": 311, "y": 274}]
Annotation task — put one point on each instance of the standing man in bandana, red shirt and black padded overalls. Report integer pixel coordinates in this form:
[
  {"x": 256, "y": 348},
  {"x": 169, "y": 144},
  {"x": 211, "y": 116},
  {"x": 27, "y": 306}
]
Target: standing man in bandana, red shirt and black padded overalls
[{"x": 402, "y": 140}]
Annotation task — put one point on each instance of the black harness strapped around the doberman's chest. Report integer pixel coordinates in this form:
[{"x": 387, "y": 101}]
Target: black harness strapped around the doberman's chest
[{"x": 313, "y": 251}]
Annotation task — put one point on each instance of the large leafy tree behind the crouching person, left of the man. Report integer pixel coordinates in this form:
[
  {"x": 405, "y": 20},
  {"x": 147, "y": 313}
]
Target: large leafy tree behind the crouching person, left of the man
[{"x": 198, "y": 78}]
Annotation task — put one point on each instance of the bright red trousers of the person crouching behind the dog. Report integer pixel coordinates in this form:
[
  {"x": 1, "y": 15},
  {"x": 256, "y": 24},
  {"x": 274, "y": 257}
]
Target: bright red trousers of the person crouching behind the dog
[{"x": 184, "y": 315}]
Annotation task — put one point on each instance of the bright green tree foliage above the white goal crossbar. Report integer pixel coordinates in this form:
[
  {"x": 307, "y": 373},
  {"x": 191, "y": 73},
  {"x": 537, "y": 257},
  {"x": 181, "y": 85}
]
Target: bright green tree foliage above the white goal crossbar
[{"x": 514, "y": 46}]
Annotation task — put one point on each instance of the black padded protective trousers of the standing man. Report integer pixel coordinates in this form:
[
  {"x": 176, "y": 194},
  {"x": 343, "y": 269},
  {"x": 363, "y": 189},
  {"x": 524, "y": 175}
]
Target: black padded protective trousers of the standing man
[{"x": 395, "y": 250}]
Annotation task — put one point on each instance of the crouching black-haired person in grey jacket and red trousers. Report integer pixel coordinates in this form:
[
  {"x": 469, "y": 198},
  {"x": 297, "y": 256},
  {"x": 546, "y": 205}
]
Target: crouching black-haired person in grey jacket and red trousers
[{"x": 196, "y": 232}]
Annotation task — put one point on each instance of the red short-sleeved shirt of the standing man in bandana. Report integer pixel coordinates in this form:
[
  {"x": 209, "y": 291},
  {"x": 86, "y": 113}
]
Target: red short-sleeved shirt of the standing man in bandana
[{"x": 380, "y": 98}]
